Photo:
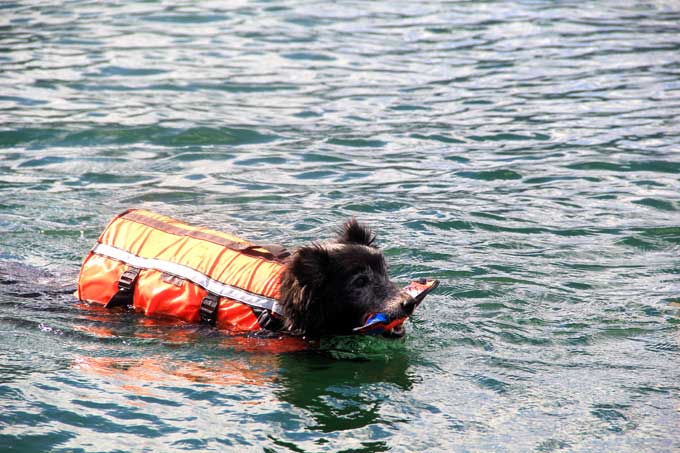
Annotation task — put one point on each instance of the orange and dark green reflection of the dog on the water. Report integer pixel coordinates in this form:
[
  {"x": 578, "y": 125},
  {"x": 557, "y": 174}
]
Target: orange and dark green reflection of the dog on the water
[{"x": 340, "y": 384}]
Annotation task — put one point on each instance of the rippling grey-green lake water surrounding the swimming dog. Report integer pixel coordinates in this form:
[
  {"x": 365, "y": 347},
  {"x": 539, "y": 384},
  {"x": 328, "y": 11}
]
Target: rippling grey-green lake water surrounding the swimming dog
[{"x": 527, "y": 154}]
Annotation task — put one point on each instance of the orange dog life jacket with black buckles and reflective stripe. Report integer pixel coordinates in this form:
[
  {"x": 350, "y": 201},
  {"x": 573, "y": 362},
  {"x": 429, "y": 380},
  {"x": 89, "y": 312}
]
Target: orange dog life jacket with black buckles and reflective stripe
[{"x": 161, "y": 266}]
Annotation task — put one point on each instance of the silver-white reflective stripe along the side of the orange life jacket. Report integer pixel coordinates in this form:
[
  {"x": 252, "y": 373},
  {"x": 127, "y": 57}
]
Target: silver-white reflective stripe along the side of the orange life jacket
[{"x": 211, "y": 285}]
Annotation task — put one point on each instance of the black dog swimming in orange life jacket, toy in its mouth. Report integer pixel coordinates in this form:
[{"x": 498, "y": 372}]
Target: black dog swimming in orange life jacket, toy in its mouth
[{"x": 164, "y": 267}]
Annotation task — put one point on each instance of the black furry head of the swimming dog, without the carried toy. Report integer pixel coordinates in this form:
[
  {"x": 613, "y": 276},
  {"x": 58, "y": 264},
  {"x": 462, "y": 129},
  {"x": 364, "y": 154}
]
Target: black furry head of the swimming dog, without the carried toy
[{"x": 332, "y": 288}]
